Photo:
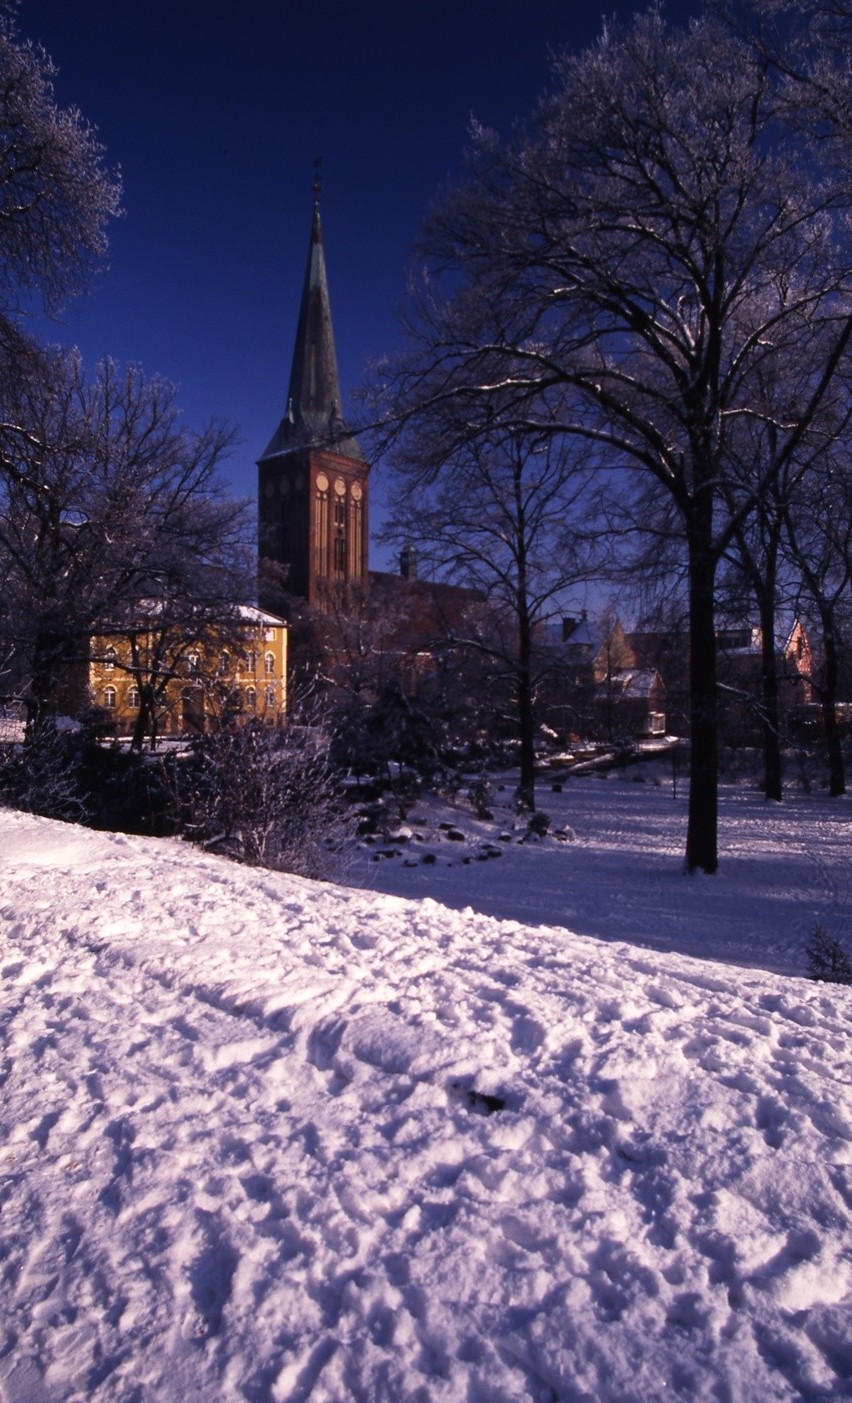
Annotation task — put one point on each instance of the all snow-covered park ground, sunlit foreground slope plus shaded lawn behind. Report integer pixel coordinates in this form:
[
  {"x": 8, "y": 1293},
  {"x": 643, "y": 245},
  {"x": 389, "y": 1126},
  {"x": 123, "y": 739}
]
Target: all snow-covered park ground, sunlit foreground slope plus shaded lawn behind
[{"x": 263, "y": 1139}]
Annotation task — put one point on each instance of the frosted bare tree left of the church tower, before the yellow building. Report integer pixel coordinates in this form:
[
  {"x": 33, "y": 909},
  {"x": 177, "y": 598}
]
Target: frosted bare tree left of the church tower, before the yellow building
[{"x": 106, "y": 506}]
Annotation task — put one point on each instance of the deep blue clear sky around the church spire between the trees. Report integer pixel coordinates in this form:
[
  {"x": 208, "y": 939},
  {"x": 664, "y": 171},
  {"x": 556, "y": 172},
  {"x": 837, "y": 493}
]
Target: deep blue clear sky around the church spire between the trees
[{"x": 215, "y": 116}]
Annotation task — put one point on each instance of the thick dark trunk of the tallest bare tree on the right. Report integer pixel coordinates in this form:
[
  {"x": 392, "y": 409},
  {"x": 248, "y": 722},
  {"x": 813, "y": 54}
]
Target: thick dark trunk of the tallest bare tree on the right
[{"x": 703, "y": 852}]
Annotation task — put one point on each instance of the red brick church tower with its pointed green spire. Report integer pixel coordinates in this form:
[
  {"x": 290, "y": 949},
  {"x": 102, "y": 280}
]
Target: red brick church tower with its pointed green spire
[{"x": 314, "y": 478}]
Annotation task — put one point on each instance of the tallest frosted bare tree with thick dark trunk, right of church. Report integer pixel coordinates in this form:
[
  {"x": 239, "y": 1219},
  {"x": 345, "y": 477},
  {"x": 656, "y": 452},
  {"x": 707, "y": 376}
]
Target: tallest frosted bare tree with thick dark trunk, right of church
[{"x": 623, "y": 274}]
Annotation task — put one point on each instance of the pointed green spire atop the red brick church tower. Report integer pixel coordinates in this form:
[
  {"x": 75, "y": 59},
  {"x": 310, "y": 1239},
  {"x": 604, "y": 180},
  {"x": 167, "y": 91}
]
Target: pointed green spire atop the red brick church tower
[{"x": 314, "y": 413}]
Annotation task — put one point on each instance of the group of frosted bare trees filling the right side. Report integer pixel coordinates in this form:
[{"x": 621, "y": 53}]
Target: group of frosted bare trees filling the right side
[{"x": 632, "y": 321}]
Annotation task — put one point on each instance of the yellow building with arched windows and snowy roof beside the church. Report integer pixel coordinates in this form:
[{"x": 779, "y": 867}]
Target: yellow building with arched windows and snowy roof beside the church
[{"x": 158, "y": 678}]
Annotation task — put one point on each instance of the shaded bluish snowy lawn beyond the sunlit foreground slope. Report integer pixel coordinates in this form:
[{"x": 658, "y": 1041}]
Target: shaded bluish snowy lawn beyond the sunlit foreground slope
[{"x": 784, "y": 868}]
